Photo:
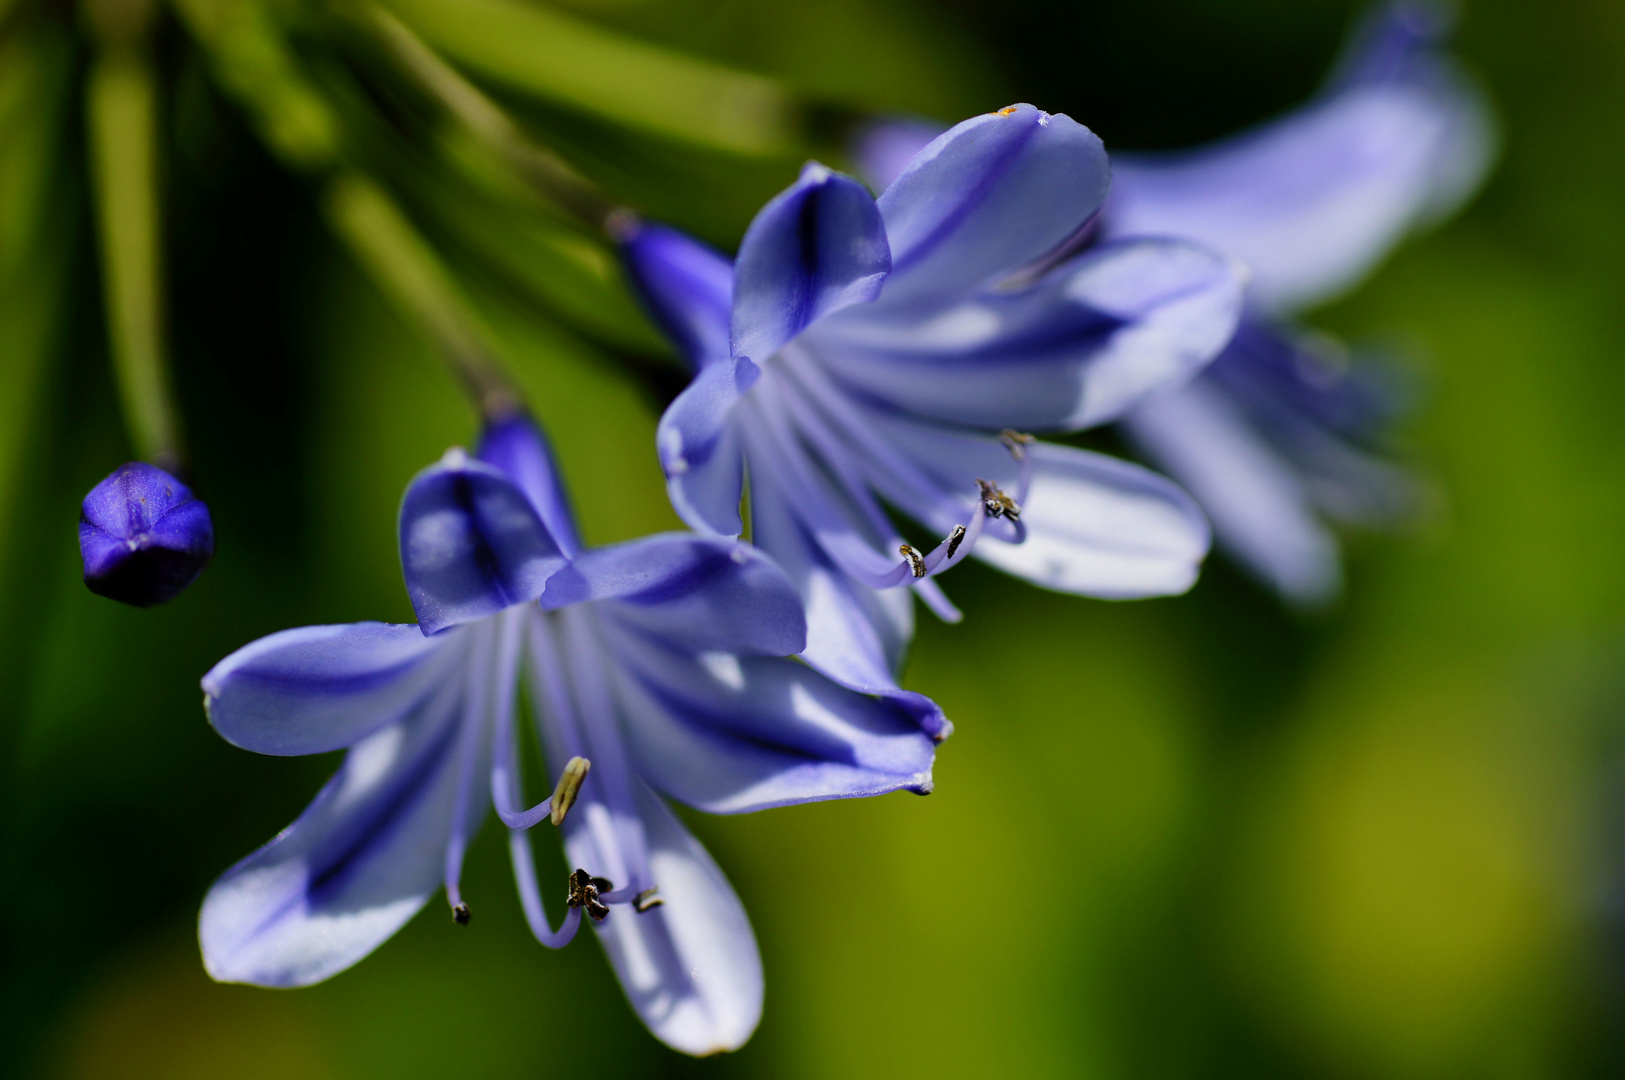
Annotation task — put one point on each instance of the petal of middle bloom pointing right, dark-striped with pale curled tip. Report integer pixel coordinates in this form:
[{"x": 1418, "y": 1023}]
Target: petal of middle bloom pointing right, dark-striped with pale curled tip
[{"x": 1080, "y": 348}]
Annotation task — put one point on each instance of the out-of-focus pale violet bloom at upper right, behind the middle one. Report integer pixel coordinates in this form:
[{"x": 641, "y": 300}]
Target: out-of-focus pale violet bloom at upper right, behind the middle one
[{"x": 1283, "y": 433}]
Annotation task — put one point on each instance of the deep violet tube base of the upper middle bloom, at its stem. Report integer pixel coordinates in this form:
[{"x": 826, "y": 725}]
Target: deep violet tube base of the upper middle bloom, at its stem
[{"x": 687, "y": 287}]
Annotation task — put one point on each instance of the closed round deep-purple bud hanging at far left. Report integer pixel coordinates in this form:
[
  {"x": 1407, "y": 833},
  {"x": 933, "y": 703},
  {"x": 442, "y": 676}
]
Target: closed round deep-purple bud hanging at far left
[{"x": 144, "y": 537}]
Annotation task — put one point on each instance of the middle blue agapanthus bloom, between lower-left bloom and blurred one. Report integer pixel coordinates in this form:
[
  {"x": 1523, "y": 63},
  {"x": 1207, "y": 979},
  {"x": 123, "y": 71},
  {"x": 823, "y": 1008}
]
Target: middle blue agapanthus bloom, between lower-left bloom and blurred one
[{"x": 865, "y": 355}]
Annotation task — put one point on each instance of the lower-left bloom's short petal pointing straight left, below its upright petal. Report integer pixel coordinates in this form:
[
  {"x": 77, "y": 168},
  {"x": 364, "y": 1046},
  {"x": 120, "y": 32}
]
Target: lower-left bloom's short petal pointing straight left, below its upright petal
[{"x": 319, "y": 689}]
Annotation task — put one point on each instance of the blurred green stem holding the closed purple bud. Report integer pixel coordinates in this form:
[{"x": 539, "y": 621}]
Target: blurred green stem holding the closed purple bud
[{"x": 123, "y": 114}]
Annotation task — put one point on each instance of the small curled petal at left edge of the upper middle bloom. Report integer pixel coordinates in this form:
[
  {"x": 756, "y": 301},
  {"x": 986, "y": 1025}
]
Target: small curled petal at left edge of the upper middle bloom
[{"x": 700, "y": 449}]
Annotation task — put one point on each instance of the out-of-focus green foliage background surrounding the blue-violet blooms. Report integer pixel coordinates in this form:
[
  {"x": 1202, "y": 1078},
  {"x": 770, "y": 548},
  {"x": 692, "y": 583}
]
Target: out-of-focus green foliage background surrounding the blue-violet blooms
[{"x": 1179, "y": 839}]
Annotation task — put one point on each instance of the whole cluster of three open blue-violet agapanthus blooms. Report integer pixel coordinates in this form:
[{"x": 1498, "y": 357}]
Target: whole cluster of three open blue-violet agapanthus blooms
[{"x": 870, "y": 382}]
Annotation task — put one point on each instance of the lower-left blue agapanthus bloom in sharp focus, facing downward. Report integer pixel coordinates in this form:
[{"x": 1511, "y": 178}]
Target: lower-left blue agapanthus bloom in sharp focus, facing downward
[{"x": 659, "y": 670}]
